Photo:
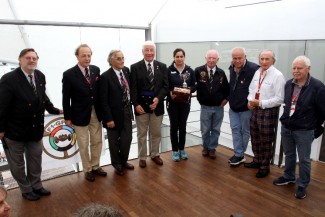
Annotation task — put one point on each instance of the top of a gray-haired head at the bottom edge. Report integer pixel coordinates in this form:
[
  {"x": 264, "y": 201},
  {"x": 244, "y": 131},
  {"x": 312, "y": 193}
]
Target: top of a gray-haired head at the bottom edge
[{"x": 98, "y": 210}]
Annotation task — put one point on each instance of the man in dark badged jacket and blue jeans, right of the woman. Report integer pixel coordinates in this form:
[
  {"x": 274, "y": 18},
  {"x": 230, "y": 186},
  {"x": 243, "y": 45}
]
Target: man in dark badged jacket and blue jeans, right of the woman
[{"x": 212, "y": 94}]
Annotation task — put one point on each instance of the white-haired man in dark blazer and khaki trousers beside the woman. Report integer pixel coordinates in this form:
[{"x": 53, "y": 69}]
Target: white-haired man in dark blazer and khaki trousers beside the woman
[{"x": 149, "y": 87}]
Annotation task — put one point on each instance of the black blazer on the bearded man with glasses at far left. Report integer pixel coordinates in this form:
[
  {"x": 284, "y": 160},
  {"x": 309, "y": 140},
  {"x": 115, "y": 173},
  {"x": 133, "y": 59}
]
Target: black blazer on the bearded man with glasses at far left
[{"x": 21, "y": 111}]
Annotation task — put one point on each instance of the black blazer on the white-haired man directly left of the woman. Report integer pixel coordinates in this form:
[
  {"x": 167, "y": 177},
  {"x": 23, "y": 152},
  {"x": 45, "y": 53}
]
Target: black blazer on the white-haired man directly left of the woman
[{"x": 140, "y": 81}]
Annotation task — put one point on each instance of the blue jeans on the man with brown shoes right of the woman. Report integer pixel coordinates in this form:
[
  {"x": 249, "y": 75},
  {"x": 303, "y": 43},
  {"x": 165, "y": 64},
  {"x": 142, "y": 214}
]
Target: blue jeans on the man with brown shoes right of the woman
[{"x": 211, "y": 120}]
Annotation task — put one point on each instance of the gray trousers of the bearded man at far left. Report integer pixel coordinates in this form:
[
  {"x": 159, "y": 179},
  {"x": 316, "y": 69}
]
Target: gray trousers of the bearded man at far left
[{"x": 15, "y": 152}]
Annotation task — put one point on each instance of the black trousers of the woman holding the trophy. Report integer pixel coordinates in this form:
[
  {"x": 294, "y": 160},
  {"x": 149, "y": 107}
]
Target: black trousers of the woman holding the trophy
[{"x": 178, "y": 114}]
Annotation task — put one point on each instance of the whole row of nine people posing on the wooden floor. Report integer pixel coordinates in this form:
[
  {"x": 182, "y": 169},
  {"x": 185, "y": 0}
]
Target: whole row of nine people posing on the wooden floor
[{"x": 92, "y": 100}]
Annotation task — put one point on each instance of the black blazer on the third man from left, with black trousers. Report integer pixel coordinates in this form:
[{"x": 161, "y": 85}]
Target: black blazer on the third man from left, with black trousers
[{"x": 111, "y": 96}]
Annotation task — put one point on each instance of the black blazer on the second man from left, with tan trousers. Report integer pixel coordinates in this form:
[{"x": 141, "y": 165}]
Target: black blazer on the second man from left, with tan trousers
[{"x": 79, "y": 97}]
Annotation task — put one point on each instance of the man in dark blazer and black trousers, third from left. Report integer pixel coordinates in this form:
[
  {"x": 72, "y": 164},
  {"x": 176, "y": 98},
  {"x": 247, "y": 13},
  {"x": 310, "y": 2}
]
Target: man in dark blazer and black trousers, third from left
[{"x": 117, "y": 111}]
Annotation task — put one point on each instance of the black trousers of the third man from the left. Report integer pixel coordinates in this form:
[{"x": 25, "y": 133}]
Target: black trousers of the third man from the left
[{"x": 119, "y": 141}]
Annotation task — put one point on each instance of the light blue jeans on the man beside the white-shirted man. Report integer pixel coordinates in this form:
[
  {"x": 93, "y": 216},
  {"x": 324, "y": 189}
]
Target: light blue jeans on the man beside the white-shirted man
[{"x": 239, "y": 124}]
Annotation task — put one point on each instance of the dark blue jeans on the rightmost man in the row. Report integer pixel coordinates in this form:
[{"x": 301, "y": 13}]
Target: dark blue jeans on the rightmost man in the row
[{"x": 300, "y": 140}]
